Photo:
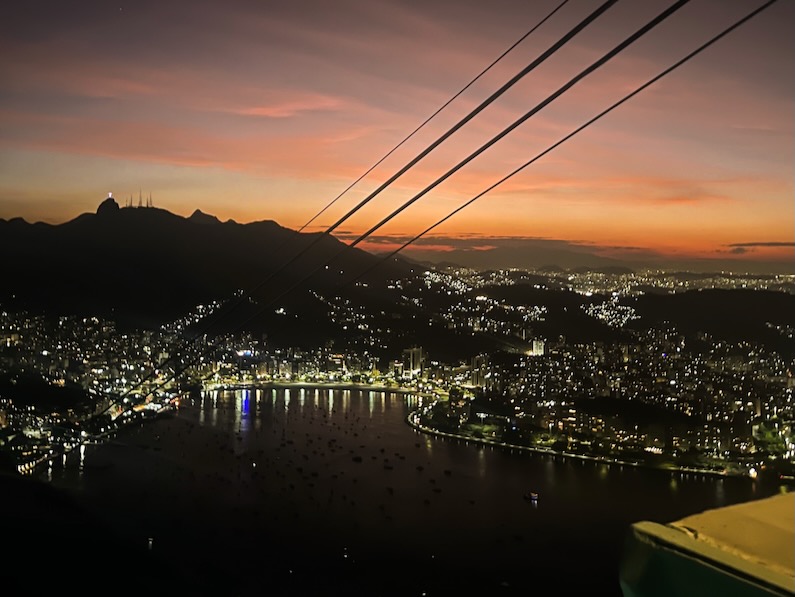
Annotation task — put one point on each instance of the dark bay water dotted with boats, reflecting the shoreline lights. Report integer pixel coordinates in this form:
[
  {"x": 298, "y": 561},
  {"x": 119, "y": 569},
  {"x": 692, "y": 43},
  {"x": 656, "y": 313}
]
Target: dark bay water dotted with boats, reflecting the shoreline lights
[{"x": 330, "y": 492}]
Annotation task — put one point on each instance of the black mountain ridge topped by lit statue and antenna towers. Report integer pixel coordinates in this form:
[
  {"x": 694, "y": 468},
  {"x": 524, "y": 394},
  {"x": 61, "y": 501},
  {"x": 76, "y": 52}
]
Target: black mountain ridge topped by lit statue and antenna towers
[{"x": 148, "y": 265}]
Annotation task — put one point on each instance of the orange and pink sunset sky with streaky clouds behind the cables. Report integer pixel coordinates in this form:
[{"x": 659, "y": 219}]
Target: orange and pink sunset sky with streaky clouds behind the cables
[{"x": 268, "y": 110}]
